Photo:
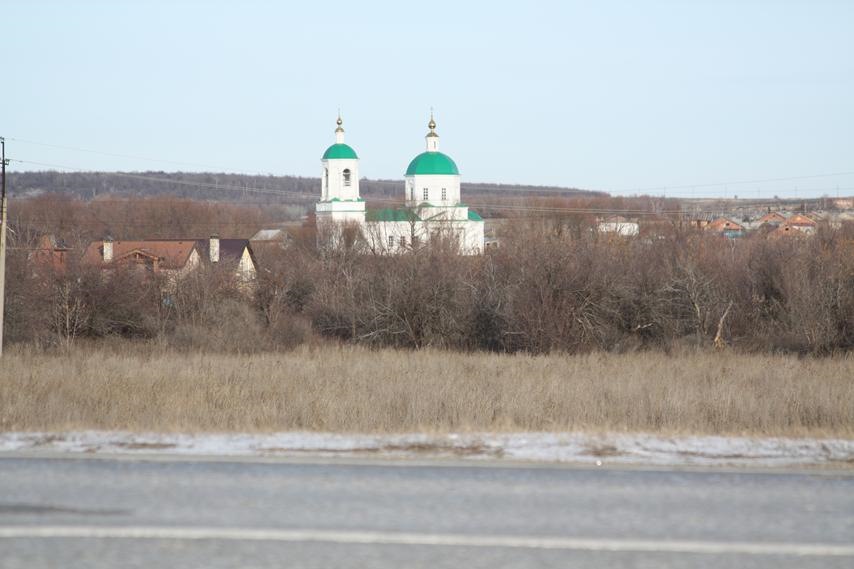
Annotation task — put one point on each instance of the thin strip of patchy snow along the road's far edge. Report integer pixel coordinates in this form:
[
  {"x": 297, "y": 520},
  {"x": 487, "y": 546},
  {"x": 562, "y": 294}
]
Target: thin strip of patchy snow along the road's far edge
[{"x": 542, "y": 447}]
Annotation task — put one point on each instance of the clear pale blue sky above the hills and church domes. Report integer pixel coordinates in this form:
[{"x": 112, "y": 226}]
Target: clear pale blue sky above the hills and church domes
[{"x": 676, "y": 98}]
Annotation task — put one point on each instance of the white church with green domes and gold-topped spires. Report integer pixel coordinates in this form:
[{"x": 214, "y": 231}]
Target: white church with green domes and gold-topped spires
[{"x": 432, "y": 208}]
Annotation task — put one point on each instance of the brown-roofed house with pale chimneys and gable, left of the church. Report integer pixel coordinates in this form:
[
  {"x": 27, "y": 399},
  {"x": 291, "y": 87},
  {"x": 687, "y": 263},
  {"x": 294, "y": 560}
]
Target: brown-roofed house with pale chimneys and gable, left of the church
[{"x": 173, "y": 258}]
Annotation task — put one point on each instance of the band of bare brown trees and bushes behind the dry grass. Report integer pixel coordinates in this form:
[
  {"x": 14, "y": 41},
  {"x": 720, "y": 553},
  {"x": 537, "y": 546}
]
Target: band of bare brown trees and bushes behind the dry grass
[{"x": 548, "y": 287}]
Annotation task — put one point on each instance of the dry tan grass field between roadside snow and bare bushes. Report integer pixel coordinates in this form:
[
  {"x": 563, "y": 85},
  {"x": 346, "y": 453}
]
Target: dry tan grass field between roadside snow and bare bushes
[{"x": 350, "y": 389}]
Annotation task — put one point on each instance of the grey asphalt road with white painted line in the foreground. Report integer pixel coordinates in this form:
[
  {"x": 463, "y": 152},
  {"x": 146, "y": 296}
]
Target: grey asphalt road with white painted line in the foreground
[{"x": 96, "y": 512}]
